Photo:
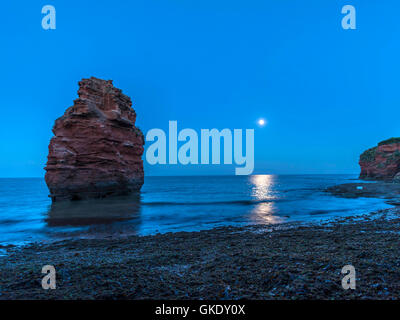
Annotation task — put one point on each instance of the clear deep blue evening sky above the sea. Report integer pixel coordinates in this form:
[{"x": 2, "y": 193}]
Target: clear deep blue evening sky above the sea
[{"x": 327, "y": 93}]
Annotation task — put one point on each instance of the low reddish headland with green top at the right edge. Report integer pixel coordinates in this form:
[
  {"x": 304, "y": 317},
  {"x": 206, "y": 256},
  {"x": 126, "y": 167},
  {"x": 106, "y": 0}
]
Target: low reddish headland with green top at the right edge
[{"x": 381, "y": 162}]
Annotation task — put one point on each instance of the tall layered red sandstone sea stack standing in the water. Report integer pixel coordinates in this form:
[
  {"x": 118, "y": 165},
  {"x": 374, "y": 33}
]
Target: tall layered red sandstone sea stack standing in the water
[{"x": 96, "y": 150}]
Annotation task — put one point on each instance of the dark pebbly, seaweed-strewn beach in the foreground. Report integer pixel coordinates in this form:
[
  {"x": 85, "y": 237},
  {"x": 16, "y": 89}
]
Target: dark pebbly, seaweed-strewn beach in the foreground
[{"x": 289, "y": 262}]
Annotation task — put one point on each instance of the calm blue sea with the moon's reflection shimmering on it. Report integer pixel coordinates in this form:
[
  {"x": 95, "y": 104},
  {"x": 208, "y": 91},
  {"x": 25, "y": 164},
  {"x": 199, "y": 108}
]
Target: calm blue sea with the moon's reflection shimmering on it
[{"x": 174, "y": 204}]
